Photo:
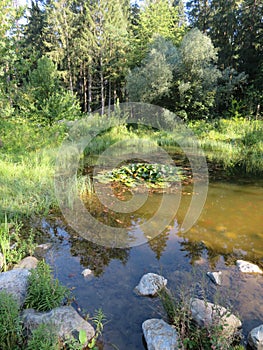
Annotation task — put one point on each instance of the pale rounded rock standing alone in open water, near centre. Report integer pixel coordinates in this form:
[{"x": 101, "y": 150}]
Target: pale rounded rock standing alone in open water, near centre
[{"x": 150, "y": 284}]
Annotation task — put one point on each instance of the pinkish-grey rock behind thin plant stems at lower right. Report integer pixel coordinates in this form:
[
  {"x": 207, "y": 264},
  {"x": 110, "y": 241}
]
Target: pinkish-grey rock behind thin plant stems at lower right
[{"x": 206, "y": 314}]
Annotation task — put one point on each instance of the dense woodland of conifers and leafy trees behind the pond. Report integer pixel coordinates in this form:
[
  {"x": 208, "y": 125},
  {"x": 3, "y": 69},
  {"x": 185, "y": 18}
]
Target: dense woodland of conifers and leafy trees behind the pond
[{"x": 201, "y": 59}]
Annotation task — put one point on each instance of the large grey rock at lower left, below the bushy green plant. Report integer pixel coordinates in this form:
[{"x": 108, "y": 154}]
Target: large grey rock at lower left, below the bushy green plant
[{"x": 65, "y": 320}]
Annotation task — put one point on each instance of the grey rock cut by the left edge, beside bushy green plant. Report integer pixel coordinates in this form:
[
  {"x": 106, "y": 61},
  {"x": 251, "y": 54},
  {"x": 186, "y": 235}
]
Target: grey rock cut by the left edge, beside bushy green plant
[{"x": 15, "y": 283}]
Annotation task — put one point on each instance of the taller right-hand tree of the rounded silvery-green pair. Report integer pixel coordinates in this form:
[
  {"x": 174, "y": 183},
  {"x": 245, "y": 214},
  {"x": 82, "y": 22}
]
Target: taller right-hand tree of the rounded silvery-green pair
[{"x": 197, "y": 75}]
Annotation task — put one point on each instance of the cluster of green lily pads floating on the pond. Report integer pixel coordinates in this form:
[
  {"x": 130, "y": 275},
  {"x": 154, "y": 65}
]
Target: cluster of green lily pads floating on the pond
[{"x": 136, "y": 174}]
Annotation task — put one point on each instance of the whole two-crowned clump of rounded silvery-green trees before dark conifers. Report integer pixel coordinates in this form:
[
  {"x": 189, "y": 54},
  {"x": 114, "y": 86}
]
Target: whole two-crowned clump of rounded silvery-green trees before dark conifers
[{"x": 182, "y": 79}]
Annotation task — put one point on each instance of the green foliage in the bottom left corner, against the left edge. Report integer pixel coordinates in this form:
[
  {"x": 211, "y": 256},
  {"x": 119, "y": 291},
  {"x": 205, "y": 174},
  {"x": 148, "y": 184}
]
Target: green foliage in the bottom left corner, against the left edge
[{"x": 10, "y": 323}]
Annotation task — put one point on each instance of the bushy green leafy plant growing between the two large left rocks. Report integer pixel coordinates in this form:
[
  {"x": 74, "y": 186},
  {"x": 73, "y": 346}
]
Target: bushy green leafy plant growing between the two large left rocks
[{"x": 44, "y": 292}]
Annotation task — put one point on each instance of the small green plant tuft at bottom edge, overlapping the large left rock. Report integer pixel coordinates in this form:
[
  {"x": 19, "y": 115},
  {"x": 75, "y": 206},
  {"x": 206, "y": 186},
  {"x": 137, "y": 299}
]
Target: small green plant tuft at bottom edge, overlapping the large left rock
[{"x": 43, "y": 338}]
